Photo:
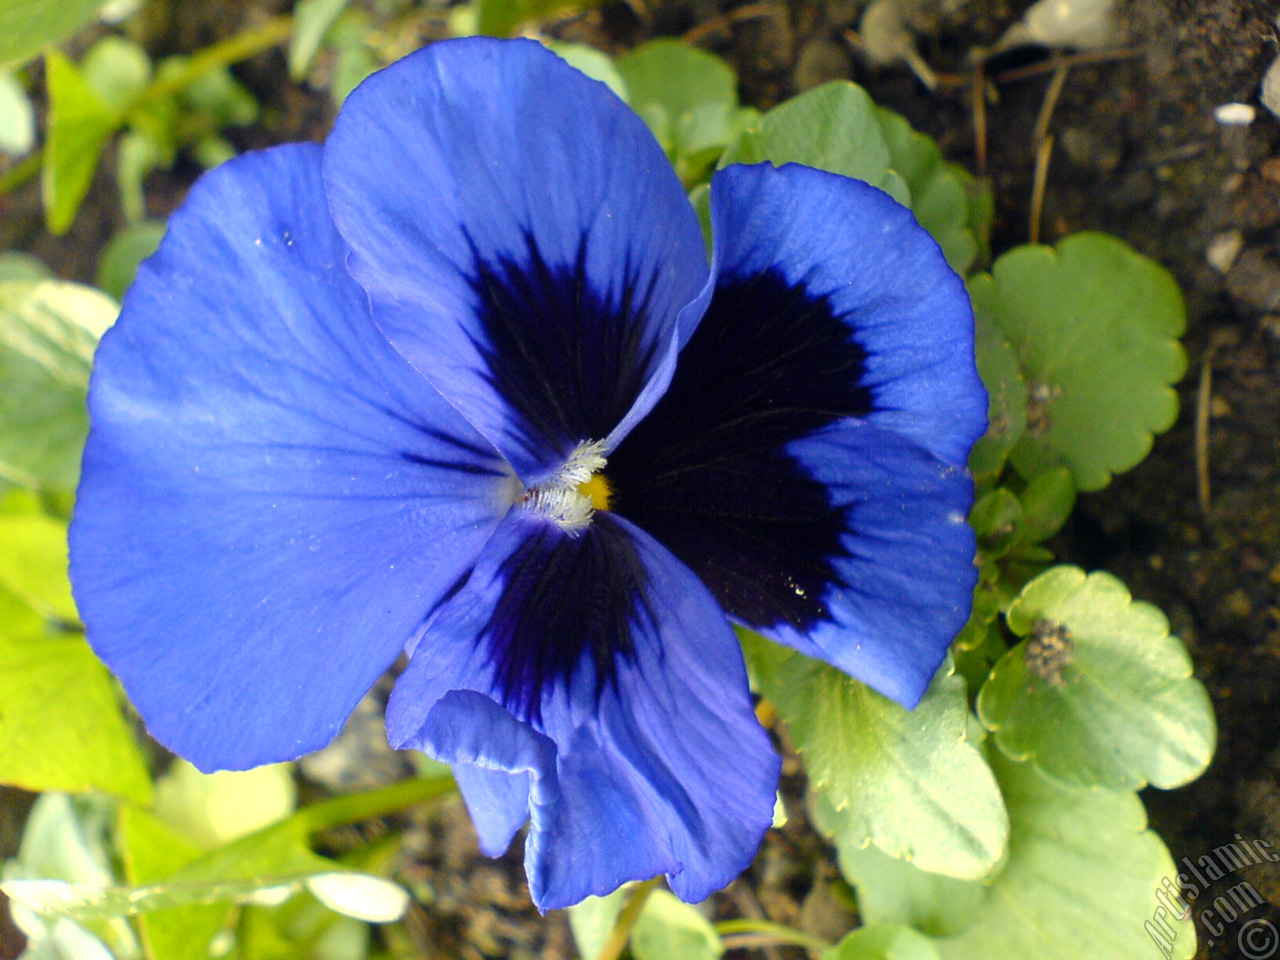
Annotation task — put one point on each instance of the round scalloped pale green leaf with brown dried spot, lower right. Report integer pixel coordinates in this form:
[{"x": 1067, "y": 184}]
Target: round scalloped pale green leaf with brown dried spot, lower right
[{"x": 1100, "y": 694}]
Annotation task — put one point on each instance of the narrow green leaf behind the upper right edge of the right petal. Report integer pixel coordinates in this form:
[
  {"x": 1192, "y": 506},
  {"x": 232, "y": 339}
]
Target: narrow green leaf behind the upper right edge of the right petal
[{"x": 940, "y": 191}]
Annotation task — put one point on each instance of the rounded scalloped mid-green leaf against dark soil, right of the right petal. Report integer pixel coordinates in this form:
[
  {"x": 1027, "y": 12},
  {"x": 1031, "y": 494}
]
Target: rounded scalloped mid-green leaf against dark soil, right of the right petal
[{"x": 1095, "y": 327}]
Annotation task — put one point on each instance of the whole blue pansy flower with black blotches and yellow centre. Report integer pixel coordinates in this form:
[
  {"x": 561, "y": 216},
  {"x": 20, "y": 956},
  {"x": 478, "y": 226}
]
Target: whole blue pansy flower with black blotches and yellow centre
[{"x": 463, "y": 385}]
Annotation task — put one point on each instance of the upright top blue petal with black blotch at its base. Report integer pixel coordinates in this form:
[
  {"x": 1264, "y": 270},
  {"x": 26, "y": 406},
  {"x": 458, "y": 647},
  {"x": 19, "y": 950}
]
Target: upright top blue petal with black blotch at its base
[{"x": 524, "y": 241}]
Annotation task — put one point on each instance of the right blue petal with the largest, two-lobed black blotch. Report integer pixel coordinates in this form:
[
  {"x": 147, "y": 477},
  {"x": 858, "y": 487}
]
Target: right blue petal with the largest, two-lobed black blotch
[{"x": 804, "y": 461}]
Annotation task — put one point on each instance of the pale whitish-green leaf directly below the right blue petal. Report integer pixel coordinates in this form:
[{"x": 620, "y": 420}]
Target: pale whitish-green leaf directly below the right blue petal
[{"x": 907, "y": 781}]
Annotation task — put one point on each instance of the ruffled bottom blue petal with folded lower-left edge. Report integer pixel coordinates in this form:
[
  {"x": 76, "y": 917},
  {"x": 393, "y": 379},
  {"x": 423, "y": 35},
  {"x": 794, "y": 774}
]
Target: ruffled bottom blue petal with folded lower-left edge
[{"x": 644, "y": 762}]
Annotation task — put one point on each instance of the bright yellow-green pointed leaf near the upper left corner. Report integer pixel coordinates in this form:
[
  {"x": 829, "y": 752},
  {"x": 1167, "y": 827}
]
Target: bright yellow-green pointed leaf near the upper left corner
[{"x": 80, "y": 125}]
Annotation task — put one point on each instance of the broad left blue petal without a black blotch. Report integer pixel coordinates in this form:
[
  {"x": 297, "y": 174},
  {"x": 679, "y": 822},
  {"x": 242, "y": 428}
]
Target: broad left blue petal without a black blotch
[{"x": 272, "y": 499}]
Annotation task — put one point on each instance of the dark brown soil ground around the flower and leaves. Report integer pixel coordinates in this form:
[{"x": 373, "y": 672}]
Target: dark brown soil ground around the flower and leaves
[{"x": 1137, "y": 153}]
